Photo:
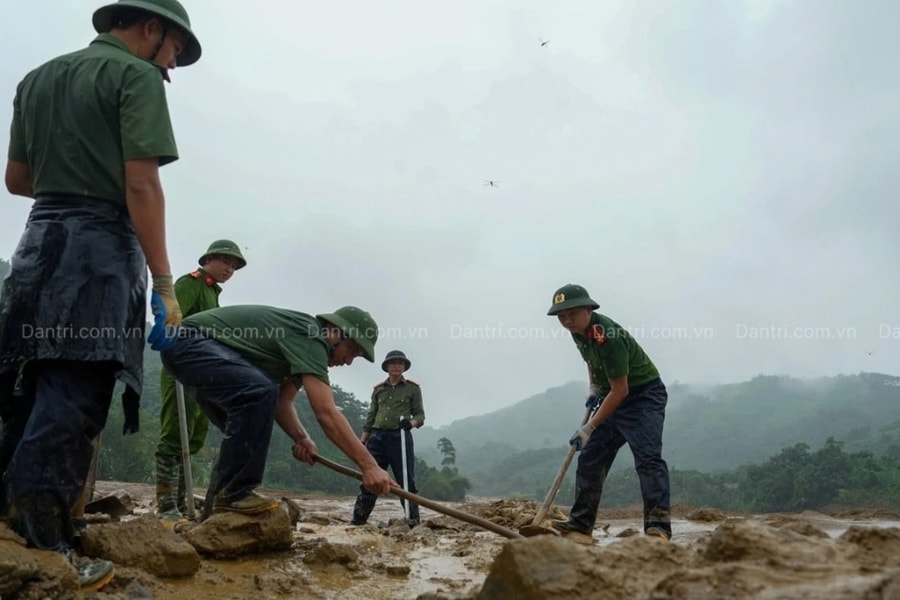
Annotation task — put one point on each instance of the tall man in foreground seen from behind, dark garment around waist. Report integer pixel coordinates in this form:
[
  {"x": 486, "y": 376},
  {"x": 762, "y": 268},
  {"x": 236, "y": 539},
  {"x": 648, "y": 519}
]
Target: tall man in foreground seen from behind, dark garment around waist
[{"x": 89, "y": 132}]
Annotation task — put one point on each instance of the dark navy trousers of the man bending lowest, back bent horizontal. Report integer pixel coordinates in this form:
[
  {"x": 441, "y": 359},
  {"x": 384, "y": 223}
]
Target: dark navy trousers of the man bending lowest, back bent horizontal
[{"x": 239, "y": 399}]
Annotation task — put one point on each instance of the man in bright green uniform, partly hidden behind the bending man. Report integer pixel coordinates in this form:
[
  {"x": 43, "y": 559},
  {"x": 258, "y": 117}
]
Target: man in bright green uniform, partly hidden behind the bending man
[{"x": 196, "y": 291}]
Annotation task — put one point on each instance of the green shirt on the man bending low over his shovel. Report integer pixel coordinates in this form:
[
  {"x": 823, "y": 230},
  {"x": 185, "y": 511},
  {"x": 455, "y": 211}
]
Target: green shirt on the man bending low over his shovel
[{"x": 283, "y": 343}]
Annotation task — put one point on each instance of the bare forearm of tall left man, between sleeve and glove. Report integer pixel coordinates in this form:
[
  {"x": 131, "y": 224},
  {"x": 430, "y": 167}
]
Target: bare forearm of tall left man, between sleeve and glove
[{"x": 147, "y": 208}]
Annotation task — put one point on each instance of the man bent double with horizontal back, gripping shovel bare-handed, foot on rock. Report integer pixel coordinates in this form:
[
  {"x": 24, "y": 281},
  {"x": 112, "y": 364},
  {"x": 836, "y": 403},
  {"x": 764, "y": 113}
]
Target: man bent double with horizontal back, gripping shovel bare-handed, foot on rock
[{"x": 246, "y": 364}]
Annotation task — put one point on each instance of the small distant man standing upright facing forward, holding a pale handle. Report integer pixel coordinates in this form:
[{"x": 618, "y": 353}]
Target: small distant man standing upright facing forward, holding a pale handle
[{"x": 396, "y": 405}]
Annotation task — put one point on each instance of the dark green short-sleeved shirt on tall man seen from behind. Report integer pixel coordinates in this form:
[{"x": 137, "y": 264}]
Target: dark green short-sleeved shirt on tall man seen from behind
[{"x": 80, "y": 116}]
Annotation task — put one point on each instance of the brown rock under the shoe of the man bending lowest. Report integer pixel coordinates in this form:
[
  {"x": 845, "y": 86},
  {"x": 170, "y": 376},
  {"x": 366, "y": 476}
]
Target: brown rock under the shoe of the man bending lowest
[{"x": 229, "y": 535}]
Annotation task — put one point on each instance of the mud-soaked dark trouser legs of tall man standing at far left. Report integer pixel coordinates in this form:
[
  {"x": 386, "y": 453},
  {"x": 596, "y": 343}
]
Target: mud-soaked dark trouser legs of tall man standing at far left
[{"x": 48, "y": 469}]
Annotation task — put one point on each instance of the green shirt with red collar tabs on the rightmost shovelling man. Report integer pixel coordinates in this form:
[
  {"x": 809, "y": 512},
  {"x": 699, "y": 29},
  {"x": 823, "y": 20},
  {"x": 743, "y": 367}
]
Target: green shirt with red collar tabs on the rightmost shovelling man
[{"x": 611, "y": 352}]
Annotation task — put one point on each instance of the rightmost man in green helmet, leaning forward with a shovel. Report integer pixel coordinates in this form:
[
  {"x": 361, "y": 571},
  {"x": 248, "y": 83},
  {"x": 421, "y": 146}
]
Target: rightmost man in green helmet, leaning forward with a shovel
[{"x": 629, "y": 402}]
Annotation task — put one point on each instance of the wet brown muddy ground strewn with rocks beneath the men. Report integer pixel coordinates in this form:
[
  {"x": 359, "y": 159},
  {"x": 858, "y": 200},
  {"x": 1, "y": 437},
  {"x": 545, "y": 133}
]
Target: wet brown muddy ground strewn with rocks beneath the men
[{"x": 309, "y": 550}]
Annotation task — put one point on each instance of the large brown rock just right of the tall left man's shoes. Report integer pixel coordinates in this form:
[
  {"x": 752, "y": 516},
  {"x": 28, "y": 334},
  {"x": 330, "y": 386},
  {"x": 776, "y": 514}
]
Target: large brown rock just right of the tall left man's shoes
[{"x": 142, "y": 543}]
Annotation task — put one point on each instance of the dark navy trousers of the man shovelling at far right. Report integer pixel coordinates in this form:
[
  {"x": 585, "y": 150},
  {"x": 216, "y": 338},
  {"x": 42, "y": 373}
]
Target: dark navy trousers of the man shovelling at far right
[{"x": 638, "y": 421}]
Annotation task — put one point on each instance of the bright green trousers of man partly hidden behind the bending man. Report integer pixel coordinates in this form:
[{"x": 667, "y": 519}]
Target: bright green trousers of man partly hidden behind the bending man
[{"x": 170, "y": 484}]
